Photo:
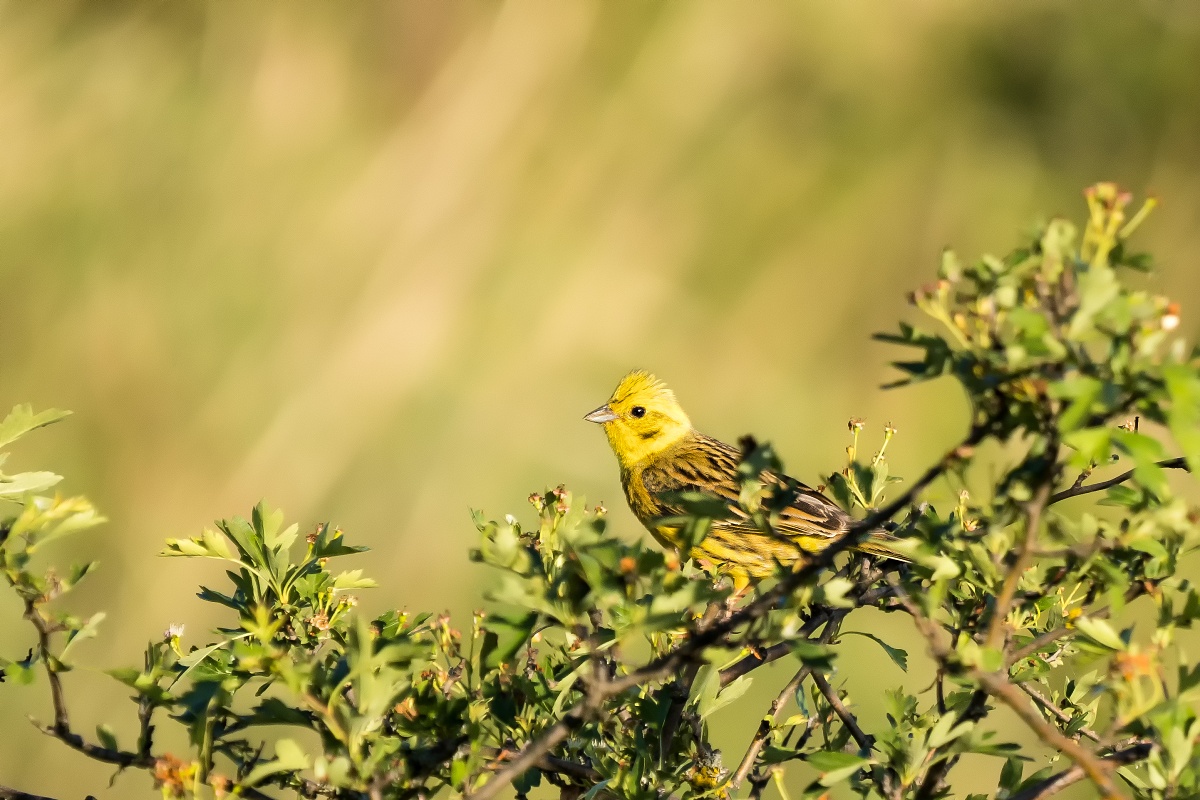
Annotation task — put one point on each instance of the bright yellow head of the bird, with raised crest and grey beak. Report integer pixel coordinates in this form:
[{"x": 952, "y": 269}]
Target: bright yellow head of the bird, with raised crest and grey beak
[{"x": 641, "y": 419}]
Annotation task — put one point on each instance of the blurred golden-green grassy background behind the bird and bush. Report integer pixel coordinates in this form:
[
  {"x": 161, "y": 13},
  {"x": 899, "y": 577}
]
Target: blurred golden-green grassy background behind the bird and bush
[{"x": 374, "y": 262}]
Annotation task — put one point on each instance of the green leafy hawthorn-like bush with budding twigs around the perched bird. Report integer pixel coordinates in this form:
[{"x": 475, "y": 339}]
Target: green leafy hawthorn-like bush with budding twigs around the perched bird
[{"x": 601, "y": 664}]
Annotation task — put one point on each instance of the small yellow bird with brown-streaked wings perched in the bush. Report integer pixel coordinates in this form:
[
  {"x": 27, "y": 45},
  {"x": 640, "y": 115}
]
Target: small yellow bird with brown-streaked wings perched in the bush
[{"x": 662, "y": 455}]
